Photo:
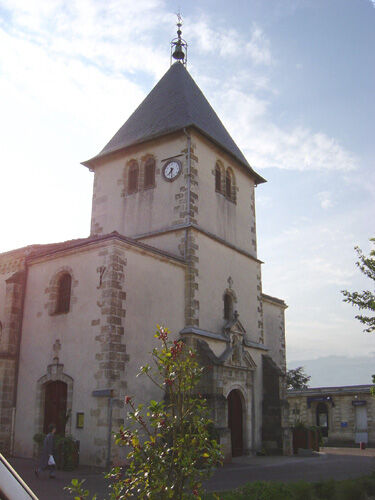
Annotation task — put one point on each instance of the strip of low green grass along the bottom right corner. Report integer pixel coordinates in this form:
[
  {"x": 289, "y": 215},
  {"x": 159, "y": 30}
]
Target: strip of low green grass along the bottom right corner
[{"x": 362, "y": 488}]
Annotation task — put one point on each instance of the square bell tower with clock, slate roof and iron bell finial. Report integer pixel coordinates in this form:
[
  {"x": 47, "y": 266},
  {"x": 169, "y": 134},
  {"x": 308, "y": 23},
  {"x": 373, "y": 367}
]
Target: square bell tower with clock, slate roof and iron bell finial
[{"x": 172, "y": 177}]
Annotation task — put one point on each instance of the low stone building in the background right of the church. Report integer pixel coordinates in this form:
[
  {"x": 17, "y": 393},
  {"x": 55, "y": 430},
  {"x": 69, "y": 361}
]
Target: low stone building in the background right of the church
[{"x": 345, "y": 414}]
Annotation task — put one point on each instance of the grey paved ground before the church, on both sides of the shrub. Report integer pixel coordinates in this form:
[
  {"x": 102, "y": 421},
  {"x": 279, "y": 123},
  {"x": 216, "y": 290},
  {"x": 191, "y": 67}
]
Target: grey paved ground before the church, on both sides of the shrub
[{"x": 337, "y": 463}]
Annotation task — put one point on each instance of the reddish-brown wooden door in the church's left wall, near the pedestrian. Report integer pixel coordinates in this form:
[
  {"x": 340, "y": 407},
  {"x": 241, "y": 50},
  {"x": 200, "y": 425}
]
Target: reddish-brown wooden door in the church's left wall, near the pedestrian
[{"x": 55, "y": 407}]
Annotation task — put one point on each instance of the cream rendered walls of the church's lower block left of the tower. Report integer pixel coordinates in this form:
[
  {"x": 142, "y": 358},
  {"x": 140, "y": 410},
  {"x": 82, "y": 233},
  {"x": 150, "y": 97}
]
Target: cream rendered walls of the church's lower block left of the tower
[{"x": 121, "y": 292}]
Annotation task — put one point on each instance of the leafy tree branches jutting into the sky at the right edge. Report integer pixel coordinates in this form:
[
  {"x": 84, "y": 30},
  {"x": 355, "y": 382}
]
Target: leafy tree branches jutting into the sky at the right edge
[{"x": 365, "y": 300}]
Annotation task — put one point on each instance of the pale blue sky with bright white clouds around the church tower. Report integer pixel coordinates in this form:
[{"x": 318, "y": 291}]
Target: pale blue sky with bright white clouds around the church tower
[{"x": 293, "y": 82}]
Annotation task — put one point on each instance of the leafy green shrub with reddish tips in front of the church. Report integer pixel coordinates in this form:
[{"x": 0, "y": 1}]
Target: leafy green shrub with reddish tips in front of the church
[{"x": 171, "y": 444}]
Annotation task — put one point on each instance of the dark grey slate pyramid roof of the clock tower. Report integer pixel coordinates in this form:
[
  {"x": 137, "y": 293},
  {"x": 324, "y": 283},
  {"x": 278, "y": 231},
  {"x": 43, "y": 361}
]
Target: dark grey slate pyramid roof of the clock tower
[{"x": 176, "y": 102}]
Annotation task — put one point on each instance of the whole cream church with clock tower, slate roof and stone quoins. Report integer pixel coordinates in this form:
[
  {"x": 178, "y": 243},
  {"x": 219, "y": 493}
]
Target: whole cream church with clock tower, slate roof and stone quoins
[{"x": 173, "y": 242}]
